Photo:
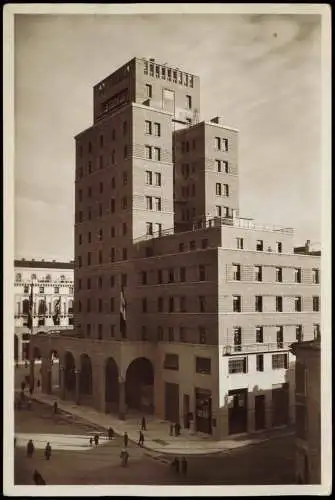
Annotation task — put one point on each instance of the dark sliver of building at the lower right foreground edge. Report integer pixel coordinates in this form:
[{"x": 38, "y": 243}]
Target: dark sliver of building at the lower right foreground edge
[{"x": 308, "y": 411}]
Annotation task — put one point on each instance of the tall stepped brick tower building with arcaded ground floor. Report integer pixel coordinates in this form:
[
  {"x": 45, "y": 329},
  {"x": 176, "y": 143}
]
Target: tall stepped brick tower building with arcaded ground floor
[{"x": 210, "y": 301}]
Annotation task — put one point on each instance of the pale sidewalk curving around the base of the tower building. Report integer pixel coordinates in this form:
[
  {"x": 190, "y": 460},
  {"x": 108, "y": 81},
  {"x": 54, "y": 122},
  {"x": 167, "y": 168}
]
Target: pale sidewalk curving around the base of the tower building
[{"x": 156, "y": 437}]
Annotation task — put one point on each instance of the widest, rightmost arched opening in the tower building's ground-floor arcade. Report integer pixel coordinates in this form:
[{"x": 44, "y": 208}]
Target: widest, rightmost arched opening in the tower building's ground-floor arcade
[{"x": 140, "y": 385}]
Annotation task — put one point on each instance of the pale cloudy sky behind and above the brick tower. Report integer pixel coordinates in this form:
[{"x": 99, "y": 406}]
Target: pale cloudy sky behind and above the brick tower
[{"x": 261, "y": 73}]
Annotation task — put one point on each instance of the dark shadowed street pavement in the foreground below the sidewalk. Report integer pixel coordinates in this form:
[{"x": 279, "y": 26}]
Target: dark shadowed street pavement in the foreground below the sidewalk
[{"x": 269, "y": 462}]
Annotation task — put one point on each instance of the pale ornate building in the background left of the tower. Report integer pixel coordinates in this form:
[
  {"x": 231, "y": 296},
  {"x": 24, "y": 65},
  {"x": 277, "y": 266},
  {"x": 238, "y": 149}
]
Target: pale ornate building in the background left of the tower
[{"x": 52, "y": 284}]
